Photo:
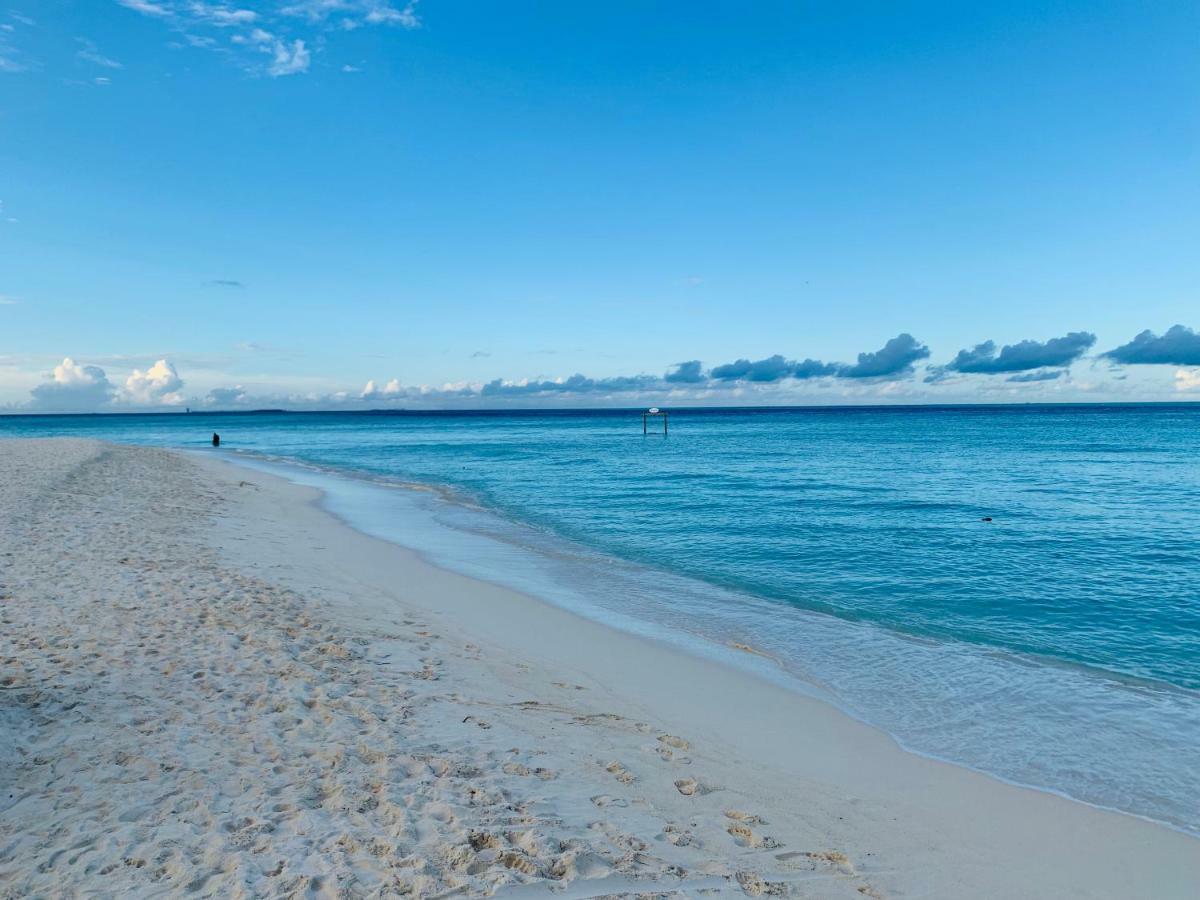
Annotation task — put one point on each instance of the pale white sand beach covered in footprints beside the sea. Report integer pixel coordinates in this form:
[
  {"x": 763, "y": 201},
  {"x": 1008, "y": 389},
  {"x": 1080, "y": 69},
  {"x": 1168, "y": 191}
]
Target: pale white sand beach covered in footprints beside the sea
[{"x": 211, "y": 687}]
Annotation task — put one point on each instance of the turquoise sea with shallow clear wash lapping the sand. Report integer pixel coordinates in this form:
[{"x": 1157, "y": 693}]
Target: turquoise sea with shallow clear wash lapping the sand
[{"x": 1058, "y": 645}]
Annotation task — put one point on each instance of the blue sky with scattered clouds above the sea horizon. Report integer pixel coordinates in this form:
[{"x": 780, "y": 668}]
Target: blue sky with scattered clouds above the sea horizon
[{"x": 370, "y": 203}]
